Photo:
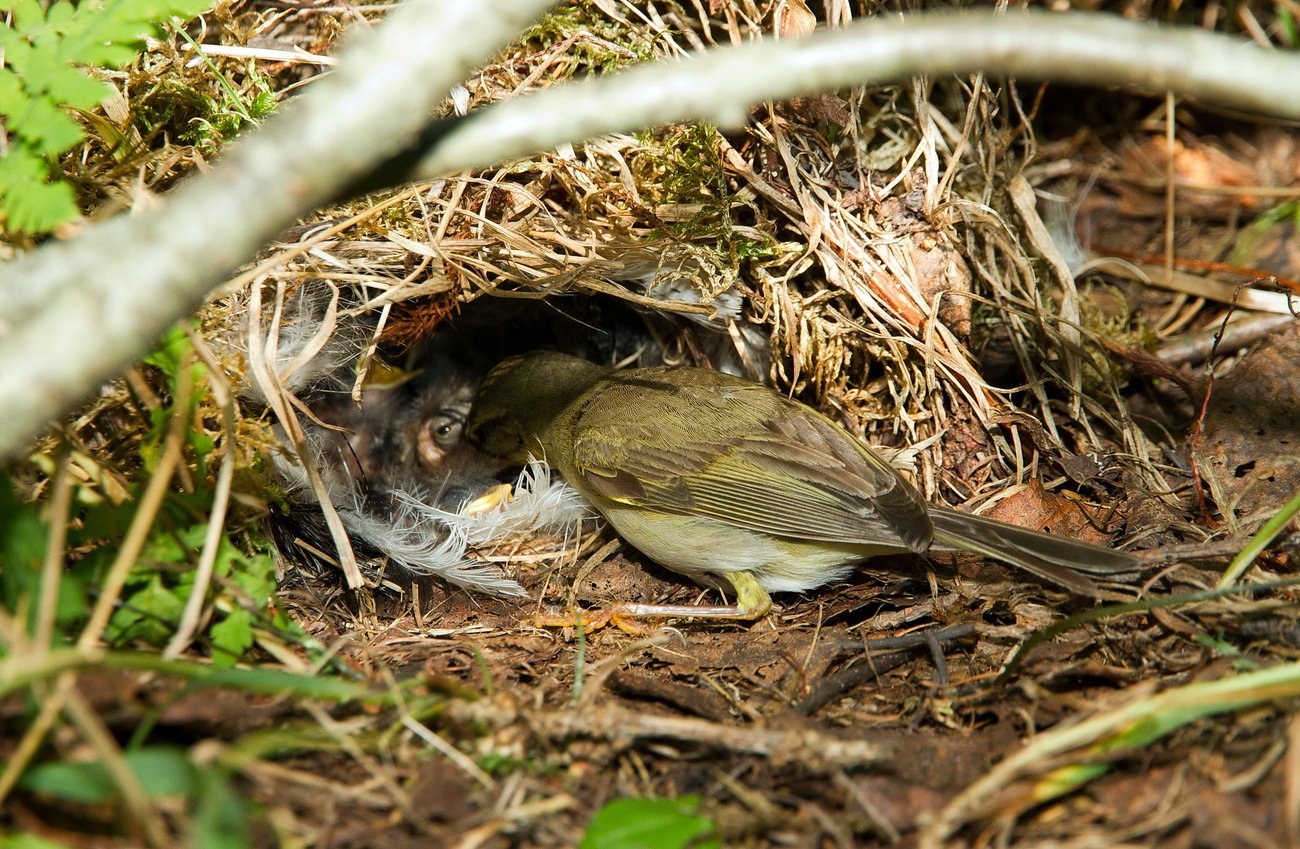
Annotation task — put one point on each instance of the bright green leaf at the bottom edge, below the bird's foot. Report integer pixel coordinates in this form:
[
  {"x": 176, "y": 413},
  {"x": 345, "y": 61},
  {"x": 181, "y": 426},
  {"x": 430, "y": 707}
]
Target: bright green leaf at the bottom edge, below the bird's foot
[{"x": 649, "y": 824}]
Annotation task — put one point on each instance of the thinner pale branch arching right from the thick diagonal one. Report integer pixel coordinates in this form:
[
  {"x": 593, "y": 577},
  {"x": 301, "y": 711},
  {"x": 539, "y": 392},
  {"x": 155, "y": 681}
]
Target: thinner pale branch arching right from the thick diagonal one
[{"x": 1094, "y": 50}]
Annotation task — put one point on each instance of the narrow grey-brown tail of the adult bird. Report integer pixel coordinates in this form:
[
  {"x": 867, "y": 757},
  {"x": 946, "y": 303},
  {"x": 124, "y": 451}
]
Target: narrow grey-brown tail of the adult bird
[{"x": 1058, "y": 560}]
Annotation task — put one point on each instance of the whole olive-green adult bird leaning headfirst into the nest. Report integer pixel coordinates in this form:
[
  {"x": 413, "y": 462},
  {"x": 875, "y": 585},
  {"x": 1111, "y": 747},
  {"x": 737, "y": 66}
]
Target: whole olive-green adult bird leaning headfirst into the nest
[{"x": 735, "y": 486}]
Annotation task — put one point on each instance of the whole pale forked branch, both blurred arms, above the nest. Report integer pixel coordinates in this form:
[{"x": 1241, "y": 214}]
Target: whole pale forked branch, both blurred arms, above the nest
[{"x": 76, "y": 314}]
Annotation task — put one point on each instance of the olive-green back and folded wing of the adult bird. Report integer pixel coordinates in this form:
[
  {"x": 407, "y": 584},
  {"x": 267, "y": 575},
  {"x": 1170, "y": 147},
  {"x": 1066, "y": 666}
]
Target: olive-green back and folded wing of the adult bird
[{"x": 736, "y": 453}]
